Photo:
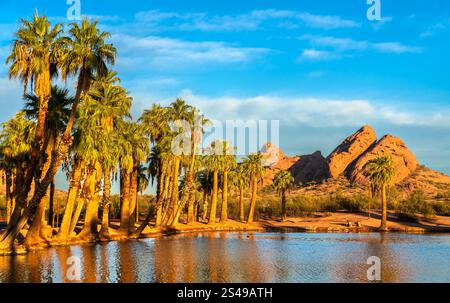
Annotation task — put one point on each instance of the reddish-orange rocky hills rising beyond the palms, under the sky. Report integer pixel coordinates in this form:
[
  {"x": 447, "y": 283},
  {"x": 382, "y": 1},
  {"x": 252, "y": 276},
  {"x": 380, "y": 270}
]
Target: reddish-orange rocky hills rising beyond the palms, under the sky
[{"x": 345, "y": 166}]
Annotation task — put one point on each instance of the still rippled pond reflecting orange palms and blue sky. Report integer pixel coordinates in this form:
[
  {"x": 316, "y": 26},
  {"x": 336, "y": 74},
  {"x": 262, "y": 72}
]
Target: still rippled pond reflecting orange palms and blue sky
[{"x": 241, "y": 257}]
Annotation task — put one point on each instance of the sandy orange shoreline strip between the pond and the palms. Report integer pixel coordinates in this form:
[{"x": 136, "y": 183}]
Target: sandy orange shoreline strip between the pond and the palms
[{"x": 319, "y": 223}]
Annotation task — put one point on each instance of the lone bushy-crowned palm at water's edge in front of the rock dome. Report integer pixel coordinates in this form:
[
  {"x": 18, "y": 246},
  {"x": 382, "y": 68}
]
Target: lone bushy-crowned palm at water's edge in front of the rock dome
[{"x": 381, "y": 172}]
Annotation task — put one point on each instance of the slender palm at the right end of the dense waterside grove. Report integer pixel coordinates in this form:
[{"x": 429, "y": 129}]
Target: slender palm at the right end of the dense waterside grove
[{"x": 252, "y": 166}]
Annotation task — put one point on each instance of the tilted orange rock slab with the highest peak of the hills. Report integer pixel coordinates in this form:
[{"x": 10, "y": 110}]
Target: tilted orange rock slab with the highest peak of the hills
[{"x": 349, "y": 150}]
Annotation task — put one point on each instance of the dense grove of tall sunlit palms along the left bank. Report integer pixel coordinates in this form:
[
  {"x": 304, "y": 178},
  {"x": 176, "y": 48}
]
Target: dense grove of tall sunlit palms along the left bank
[{"x": 93, "y": 138}]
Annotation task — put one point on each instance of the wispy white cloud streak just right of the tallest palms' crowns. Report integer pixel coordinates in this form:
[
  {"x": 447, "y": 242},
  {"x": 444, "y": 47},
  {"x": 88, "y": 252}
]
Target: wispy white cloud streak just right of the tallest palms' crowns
[{"x": 142, "y": 52}]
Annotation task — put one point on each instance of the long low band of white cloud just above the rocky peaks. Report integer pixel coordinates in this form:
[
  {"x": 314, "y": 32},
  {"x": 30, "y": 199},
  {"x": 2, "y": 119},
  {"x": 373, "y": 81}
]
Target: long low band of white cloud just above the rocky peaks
[{"x": 312, "y": 112}]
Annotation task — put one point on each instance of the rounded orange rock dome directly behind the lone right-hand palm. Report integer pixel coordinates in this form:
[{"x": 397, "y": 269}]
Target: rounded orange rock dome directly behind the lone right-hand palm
[{"x": 404, "y": 160}]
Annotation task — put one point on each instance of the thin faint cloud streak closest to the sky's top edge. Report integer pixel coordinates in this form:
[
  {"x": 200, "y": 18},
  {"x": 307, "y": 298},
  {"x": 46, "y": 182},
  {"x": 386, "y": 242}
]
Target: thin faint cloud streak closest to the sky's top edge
[{"x": 241, "y": 22}]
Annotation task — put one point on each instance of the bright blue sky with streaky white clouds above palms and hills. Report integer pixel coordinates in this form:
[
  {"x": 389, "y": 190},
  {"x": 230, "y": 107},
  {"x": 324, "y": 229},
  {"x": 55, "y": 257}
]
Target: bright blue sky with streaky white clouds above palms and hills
[{"x": 319, "y": 66}]
